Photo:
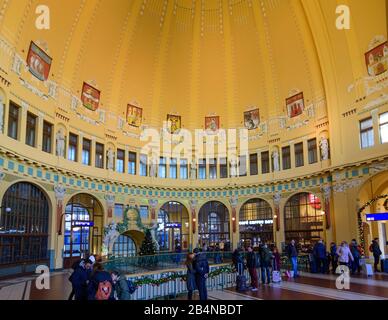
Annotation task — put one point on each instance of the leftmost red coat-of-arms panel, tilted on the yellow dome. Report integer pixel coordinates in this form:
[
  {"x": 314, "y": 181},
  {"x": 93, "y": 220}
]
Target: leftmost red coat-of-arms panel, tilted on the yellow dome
[{"x": 38, "y": 62}]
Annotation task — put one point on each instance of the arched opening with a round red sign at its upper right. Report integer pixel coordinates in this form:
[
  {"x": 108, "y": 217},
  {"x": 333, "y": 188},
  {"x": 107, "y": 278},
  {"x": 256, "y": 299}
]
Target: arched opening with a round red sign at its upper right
[{"x": 303, "y": 219}]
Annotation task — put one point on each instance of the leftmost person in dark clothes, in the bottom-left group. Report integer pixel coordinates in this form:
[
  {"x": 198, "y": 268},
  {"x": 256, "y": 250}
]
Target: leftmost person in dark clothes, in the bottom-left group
[{"x": 80, "y": 278}]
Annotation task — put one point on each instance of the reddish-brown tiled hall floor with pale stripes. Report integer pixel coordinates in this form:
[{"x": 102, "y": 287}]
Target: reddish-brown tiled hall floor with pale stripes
[{"x": 307, "y": 287}]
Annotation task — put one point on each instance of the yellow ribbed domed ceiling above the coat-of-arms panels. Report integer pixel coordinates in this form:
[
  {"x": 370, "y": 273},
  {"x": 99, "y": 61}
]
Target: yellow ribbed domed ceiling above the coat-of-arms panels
[{"x": 191, "y": 58}]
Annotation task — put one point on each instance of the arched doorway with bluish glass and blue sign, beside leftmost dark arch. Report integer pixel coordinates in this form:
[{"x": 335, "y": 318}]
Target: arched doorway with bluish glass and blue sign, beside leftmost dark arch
[{"x": 83, "y": 228}]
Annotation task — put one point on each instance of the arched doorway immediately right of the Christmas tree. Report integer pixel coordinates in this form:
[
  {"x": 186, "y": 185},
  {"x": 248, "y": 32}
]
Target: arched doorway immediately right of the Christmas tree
[{"x": 173, "y": 226}]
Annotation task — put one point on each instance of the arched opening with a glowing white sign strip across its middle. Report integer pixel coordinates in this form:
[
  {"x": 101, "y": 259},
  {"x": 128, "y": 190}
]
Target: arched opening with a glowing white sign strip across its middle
[{"x": 256, "y": 222}]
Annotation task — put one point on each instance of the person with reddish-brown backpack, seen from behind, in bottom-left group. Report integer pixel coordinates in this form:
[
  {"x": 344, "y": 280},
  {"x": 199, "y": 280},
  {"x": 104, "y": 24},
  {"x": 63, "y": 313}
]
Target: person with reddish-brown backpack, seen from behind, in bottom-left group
[{"x": 100, "y": 285}]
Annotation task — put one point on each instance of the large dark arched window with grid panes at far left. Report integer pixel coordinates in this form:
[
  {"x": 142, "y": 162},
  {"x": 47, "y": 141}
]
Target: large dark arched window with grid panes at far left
[{"x": 24, "y": 225}]
